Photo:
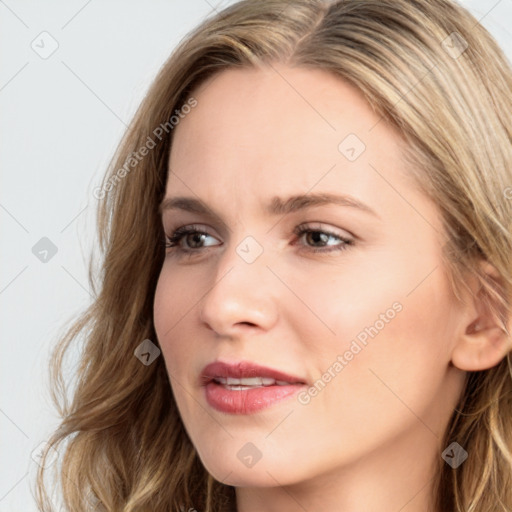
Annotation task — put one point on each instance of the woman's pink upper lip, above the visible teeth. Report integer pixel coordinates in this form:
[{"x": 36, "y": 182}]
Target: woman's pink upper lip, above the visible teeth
[{"x": 241, "y": 369}]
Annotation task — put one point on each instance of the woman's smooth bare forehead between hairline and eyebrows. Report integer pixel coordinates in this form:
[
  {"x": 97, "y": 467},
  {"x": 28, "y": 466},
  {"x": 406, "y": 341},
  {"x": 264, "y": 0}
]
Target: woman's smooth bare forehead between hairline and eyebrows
[{"x": 280, "y": 130}]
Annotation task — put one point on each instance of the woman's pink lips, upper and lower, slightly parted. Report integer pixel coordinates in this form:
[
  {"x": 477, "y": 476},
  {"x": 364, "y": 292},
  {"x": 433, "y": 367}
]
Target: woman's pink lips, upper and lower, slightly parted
[{"x": 250, "y": 400}]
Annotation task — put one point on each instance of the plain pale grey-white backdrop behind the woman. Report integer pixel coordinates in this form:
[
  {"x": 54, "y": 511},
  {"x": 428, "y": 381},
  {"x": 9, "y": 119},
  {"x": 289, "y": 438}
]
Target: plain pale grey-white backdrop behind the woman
[{"x": 72, "y": 75}]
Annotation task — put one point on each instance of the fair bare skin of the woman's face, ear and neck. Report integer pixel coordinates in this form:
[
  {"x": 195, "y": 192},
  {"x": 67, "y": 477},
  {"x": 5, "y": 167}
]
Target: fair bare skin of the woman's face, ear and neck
[{"x": 371, "y": 438}]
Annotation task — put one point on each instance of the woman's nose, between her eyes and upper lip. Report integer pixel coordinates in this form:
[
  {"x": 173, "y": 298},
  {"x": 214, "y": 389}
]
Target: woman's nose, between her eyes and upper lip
[{"x": 242, "y": 296}]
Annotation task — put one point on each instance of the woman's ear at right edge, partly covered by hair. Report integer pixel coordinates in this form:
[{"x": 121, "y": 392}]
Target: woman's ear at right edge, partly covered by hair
[{"x": 483, "y": 341}]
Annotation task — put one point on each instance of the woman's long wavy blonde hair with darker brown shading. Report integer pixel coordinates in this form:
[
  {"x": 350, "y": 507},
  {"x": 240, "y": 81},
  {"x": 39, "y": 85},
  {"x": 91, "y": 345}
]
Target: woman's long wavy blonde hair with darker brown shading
[{"x": 428, "y": 68}]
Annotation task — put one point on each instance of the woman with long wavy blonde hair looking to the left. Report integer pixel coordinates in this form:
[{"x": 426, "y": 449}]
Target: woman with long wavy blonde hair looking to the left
[{"x": 306, "y": 288}]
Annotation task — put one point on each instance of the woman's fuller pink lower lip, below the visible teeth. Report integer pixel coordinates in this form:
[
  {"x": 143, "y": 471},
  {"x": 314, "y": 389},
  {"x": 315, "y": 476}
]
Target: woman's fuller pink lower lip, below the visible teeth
[{"x": 249, "y": 400}]
